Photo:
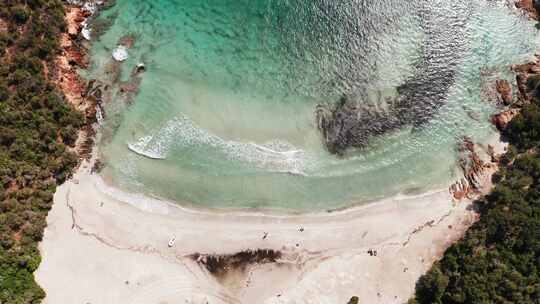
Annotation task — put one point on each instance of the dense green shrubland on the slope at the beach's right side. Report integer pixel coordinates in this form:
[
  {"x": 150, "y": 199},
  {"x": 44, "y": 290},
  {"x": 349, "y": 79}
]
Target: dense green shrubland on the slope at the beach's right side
[{"x": 498, "y": 260}]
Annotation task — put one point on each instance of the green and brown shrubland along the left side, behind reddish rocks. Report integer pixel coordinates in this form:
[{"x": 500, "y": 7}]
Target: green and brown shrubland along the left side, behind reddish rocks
[{"x": 37, "y": 126}]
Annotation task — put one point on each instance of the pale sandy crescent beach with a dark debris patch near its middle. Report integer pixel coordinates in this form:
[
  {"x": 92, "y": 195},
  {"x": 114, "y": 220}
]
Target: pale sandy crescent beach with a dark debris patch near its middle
[{"x": 122, "y": 248}]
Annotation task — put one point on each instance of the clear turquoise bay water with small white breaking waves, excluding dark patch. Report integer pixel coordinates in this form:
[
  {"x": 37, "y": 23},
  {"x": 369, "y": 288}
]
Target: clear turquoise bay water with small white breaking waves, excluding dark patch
[{"x": 225, "y": 115}]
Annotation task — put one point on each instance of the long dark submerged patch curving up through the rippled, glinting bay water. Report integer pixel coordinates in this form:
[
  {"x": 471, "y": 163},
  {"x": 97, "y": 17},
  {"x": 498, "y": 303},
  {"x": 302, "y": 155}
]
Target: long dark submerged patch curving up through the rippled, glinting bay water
[{"x": 353, "y": 121}]
